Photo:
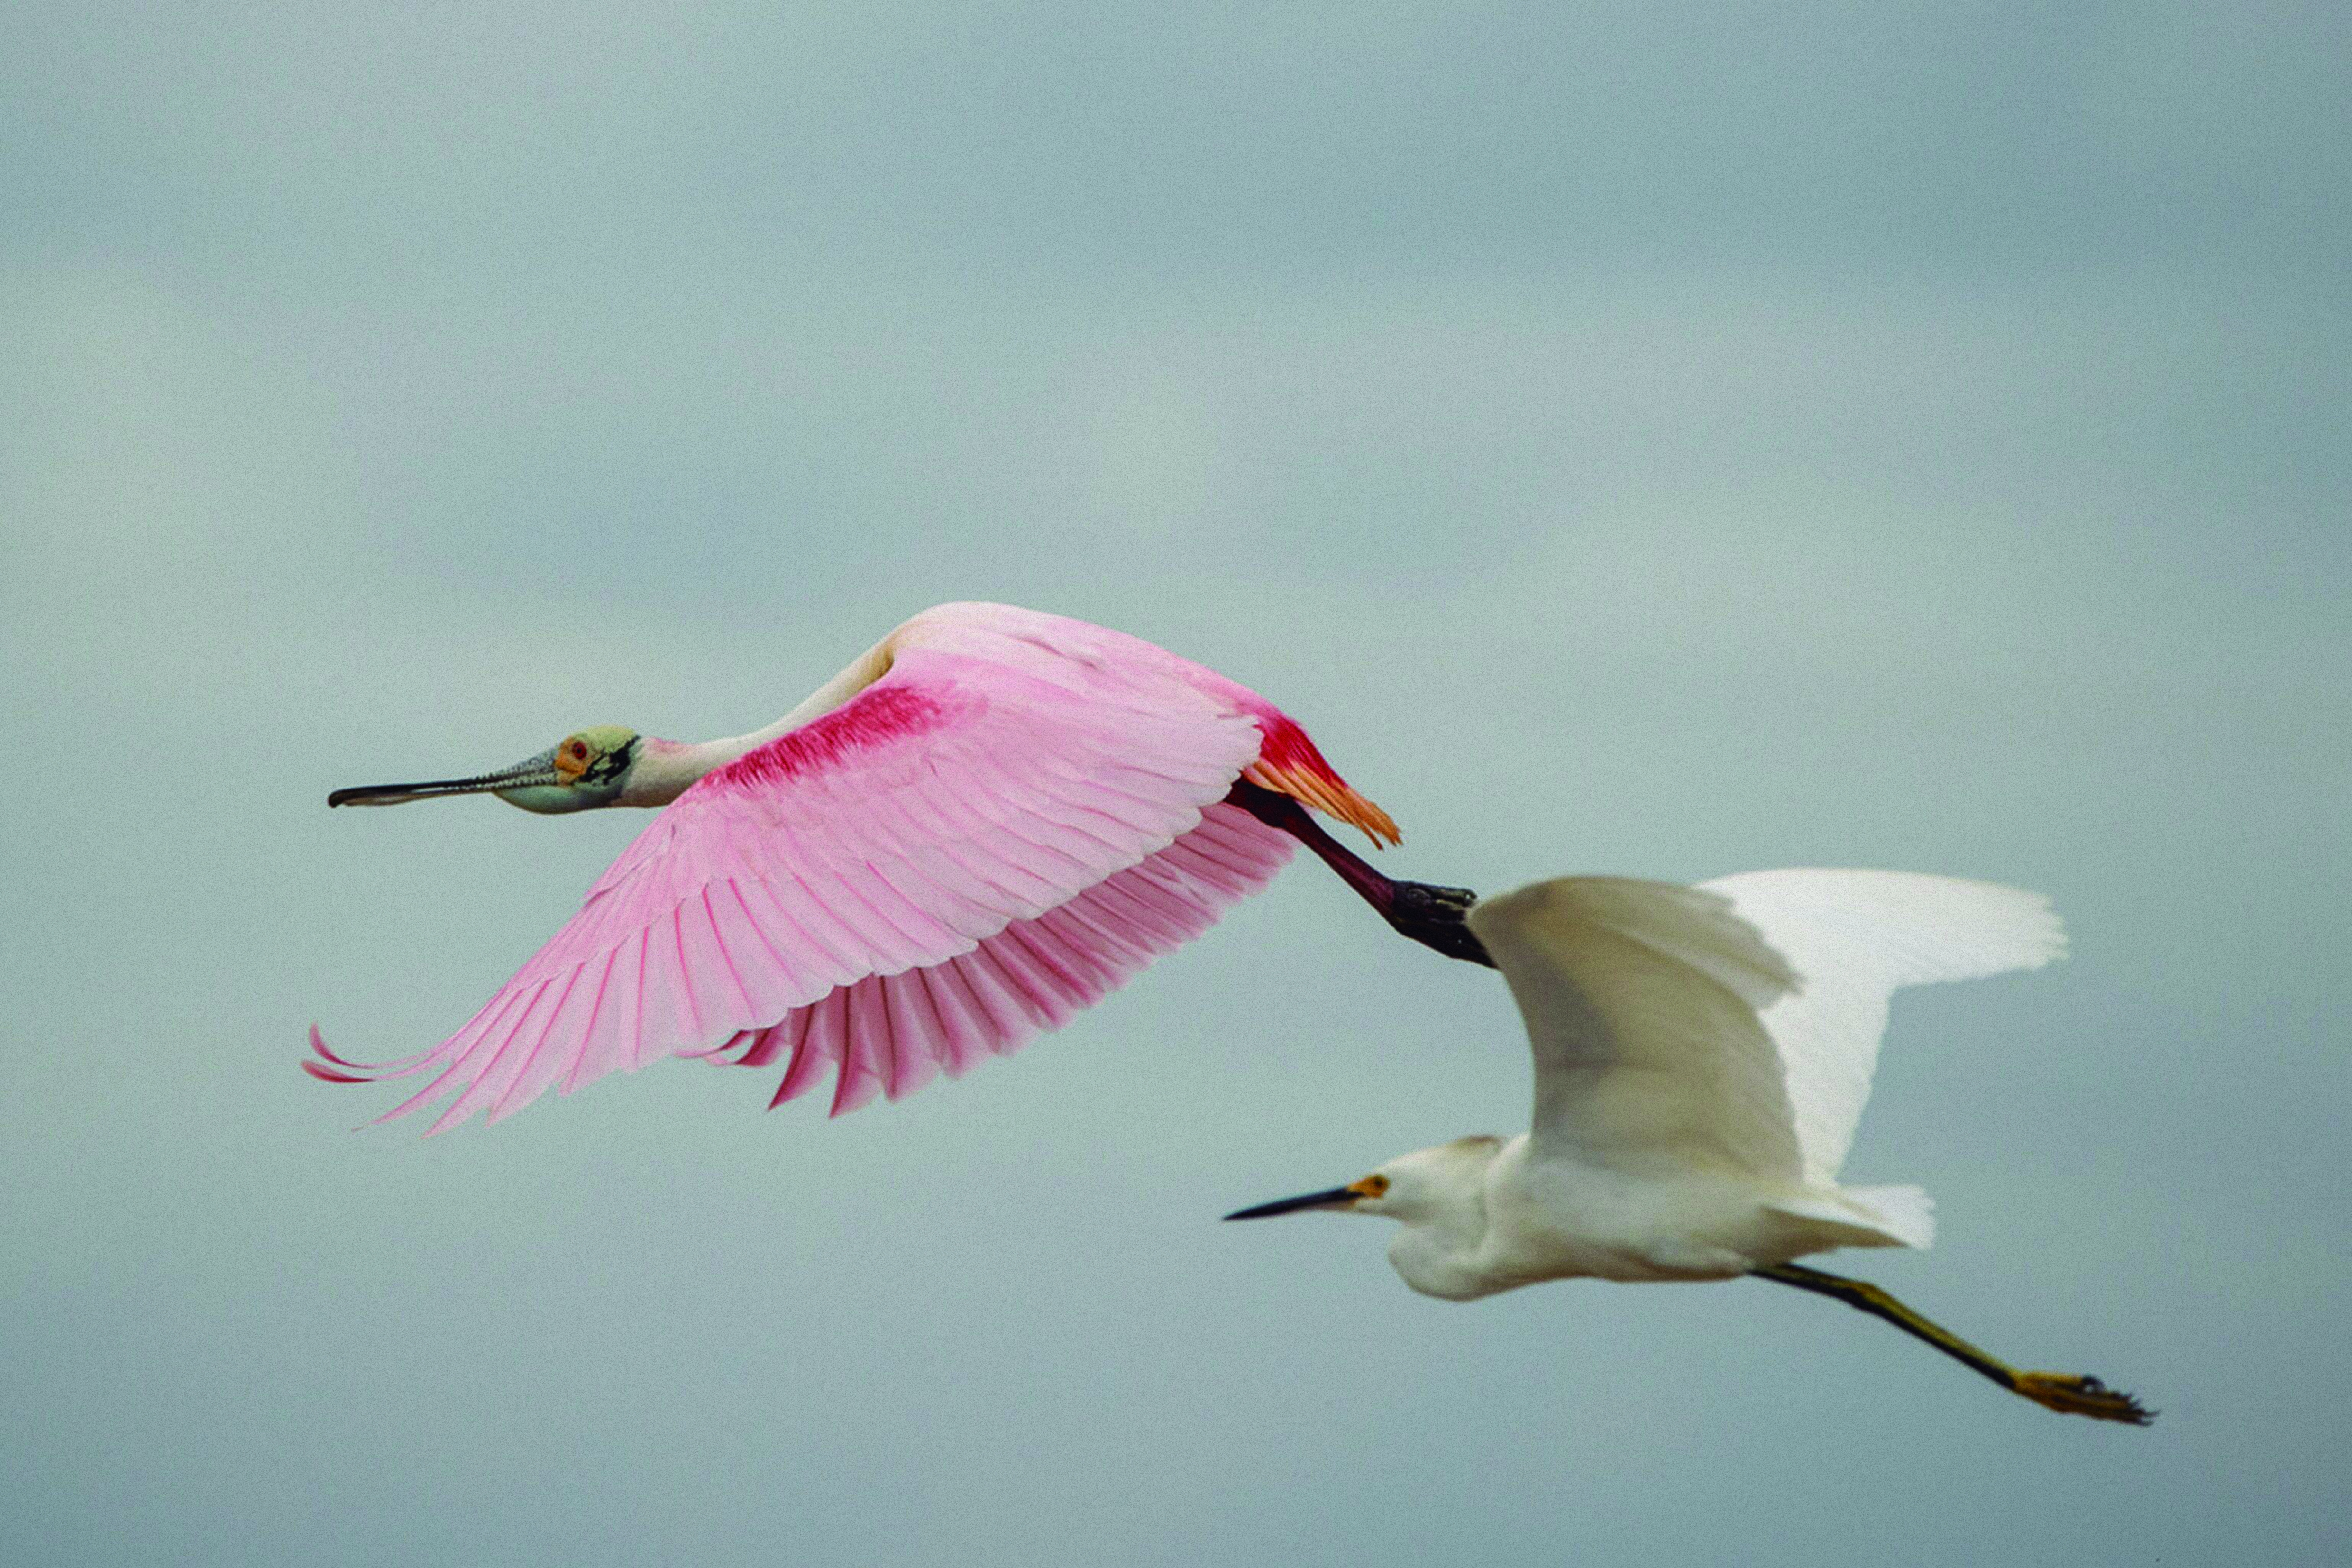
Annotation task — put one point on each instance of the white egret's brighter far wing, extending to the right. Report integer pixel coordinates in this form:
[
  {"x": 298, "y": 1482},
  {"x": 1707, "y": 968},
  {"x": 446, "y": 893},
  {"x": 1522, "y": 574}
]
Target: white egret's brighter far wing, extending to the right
[{"x": 1857, "y": 939}]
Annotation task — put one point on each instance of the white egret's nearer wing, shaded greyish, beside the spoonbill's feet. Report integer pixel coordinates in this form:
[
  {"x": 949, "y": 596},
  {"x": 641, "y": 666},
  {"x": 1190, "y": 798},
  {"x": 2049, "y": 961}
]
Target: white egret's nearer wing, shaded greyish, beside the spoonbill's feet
[{"x": 1641, "y": 1003}]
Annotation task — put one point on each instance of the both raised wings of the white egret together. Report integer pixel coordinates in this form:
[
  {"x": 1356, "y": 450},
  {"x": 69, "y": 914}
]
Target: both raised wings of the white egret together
[{"x": 1737, "y": 1021}]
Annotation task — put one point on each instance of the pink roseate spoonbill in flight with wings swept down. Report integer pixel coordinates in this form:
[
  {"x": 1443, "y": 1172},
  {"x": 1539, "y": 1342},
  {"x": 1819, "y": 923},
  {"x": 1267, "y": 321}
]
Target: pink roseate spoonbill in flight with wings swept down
[{"x": 982, "y": 826}]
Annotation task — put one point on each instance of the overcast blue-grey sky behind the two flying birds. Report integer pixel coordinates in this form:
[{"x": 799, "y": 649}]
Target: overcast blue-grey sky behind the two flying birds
[{"x": 1681, "y": 443}]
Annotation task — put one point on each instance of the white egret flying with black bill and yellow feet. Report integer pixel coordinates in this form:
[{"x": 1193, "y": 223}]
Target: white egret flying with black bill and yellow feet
[{"x": 1702, "y": 1059}]
